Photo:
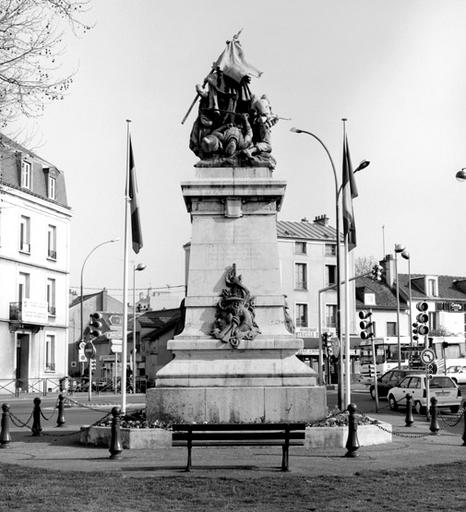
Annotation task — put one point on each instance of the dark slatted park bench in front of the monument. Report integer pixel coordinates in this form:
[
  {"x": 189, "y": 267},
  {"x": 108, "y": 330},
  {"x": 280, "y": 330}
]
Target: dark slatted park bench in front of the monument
[{"x": 239, "y": 434}]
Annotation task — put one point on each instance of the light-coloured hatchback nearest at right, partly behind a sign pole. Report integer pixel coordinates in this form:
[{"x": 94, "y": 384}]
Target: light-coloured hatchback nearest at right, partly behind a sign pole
[{"x": 443, "y": 388}]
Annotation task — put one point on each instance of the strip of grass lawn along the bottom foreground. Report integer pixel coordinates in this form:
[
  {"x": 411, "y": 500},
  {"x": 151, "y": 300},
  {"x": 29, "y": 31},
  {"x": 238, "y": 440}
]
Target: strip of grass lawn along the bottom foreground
[{"x": 430, "y": 488}]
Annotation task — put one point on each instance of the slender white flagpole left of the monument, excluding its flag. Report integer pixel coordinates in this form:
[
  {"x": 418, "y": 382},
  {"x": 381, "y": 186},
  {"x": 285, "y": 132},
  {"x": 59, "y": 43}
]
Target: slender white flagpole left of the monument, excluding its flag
[{"x": 124, "y": 350}]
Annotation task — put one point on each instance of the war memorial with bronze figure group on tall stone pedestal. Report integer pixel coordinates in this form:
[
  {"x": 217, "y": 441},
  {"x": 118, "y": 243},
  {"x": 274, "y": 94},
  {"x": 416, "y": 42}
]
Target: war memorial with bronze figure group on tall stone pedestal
[{"x": 235, "y": 359}]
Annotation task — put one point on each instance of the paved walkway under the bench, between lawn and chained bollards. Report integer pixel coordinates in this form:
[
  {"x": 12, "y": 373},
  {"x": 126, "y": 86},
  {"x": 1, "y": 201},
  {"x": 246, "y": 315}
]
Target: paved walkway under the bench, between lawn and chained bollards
[{"x": 58, "y": 449}]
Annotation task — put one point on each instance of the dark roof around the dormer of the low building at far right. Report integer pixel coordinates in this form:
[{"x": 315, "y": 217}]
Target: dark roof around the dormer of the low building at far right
[{"x": 449, "y": 287}]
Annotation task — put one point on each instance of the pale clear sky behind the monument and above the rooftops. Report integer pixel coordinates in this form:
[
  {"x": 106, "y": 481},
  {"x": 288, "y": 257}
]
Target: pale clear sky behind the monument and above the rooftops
[{"x": 394, "y": 68}]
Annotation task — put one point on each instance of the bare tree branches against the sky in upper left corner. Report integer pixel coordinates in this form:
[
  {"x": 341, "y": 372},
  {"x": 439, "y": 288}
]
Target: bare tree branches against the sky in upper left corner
[{"x": 31, "y": 45}]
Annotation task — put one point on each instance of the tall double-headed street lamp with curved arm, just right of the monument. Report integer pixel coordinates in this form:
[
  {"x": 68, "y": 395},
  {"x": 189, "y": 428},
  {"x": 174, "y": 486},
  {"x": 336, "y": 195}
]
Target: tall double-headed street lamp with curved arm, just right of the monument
[{"x": 338, "y": 187}]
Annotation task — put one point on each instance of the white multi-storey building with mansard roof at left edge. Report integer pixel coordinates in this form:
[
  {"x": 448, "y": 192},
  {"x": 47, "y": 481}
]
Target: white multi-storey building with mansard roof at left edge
[{"x": 34, "y": 271}]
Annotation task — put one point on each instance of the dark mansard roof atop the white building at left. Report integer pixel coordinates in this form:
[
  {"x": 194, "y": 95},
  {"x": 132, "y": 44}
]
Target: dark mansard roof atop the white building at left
[{"x": 10, "y": 172}]
